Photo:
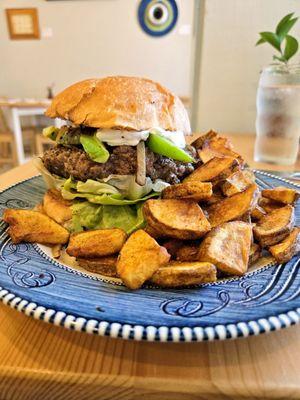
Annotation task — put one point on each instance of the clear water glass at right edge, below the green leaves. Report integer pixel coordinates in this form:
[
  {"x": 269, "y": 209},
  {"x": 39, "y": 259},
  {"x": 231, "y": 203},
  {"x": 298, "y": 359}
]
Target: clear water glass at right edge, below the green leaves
[{"x": 278, "y": 115}]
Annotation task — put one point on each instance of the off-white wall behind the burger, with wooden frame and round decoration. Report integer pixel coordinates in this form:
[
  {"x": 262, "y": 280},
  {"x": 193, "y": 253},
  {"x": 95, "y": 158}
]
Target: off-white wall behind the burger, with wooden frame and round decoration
[{"x": 91, "y": 39}]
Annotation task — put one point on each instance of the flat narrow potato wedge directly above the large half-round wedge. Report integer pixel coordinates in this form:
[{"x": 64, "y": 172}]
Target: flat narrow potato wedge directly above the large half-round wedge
[{"x": 190, "y": 191}]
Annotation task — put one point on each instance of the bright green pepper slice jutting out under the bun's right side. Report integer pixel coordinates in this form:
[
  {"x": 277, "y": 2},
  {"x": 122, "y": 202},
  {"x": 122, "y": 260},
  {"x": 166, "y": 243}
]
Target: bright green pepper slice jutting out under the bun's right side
[{"x": 160, "y": 145}]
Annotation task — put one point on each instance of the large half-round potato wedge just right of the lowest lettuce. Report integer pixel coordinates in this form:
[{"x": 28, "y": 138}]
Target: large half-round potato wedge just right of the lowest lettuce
[{"x": 179, "y": 219}]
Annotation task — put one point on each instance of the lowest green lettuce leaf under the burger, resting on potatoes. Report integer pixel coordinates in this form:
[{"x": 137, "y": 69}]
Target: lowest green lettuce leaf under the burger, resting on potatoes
[{"x": 91, "y": 216}]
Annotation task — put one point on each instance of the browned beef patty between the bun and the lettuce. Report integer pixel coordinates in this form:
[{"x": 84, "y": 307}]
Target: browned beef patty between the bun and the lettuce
[{"x": 73, "y": 161}]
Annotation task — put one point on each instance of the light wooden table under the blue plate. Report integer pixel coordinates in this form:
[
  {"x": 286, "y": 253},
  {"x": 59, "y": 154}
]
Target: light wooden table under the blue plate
[{"x": 40, "y": 361}]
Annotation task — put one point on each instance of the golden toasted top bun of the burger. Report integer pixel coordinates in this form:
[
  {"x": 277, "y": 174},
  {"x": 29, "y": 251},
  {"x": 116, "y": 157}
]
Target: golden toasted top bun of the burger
[{"x": 120, "y": 102}]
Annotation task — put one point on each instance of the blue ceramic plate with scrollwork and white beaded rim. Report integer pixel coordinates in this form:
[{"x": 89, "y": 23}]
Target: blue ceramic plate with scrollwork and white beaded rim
[{"x": 263, "y": 300}]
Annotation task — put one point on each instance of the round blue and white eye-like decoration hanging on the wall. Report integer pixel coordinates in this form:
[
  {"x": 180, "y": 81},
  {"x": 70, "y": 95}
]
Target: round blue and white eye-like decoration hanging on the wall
[{"x": 157, "y": 17}]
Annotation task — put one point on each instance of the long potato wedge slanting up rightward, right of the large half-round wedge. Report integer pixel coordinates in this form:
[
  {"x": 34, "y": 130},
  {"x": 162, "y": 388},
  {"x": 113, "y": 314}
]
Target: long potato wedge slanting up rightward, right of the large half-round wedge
[{"x": 234, "y": 207}]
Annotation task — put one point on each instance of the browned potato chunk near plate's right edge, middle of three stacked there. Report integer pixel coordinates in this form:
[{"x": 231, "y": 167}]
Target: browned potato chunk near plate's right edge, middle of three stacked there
[{"x": 275, "y": 226}]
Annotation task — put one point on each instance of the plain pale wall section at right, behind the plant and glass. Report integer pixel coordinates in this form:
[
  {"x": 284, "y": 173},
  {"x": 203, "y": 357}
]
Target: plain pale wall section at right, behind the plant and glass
[{"x": 231, "y": 63}]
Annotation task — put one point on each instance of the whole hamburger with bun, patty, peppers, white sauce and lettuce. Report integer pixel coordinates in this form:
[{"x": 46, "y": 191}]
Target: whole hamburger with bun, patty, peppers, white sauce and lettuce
[{"x": 123, "y": 142}]
